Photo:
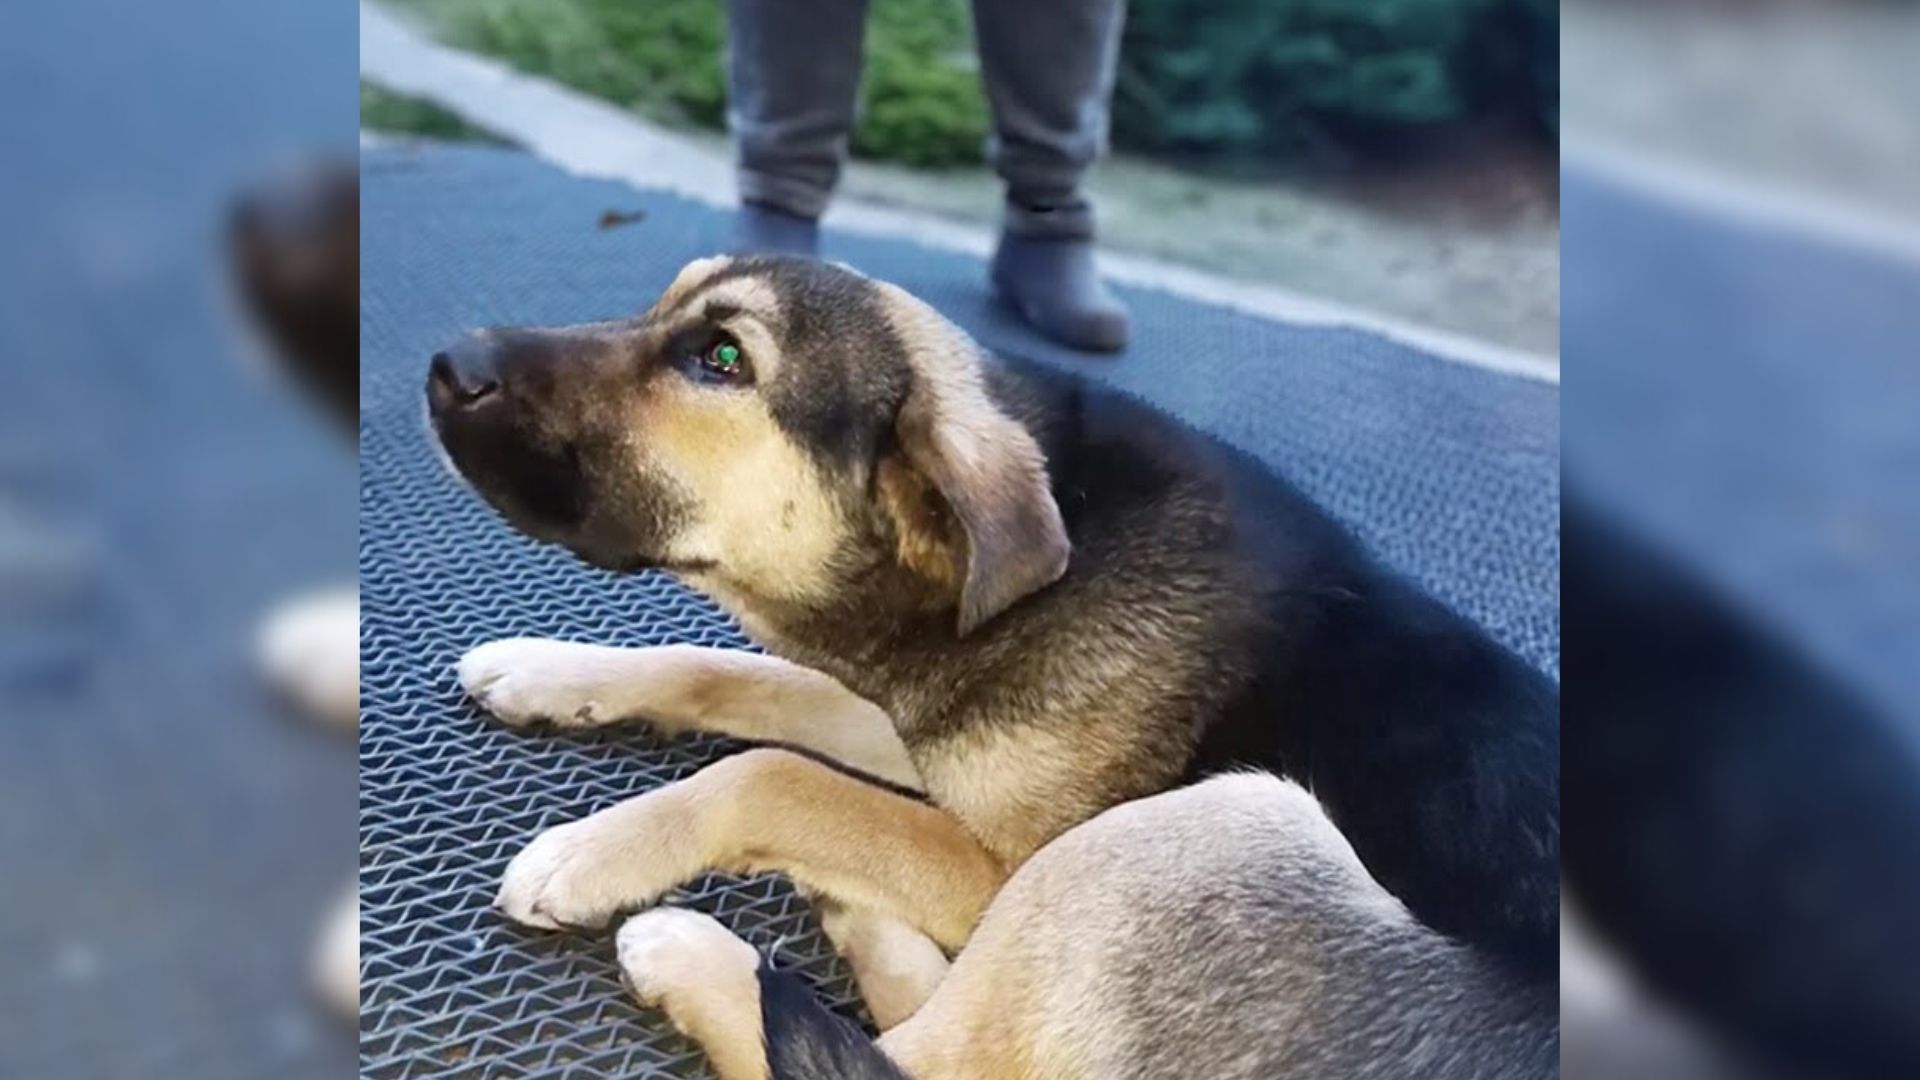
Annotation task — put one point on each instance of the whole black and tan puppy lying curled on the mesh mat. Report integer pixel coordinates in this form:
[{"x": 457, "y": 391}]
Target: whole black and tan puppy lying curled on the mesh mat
[{"x": 1032, "y": 604}]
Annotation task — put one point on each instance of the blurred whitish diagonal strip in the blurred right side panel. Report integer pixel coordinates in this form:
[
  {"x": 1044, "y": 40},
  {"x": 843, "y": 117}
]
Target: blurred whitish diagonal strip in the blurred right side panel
[{"x": 1742, "y": 199}]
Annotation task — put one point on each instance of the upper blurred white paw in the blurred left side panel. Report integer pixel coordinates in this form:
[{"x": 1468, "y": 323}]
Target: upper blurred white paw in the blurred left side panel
[{"x": 310, "y": 652}]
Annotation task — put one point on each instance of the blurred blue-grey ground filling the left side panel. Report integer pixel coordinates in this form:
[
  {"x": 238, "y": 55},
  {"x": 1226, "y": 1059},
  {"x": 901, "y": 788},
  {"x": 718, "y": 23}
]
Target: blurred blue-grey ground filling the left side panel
[{"x": 170, "y": 831}]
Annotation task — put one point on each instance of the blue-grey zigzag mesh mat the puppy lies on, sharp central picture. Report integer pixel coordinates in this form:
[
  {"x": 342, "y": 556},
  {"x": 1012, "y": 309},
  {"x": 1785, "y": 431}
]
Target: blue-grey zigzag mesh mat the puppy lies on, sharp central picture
[{"x": 1449, "y": 472}]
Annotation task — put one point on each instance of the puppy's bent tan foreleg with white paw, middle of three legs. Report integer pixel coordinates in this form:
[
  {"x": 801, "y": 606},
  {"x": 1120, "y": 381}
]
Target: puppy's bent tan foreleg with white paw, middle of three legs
[{"x": 759, "y": 812}]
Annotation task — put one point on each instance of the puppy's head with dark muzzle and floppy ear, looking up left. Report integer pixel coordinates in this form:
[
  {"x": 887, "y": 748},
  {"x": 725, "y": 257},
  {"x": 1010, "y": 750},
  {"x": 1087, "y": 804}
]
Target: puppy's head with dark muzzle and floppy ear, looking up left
[{"x": 782, "y": 428}]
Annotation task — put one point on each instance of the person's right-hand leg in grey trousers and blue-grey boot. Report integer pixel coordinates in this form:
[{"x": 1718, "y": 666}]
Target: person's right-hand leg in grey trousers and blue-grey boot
[{"x": 1049, "y": 74}]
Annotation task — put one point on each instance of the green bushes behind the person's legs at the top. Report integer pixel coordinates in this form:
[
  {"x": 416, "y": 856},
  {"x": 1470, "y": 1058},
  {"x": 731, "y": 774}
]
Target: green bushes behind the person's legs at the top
[{"x": 1222, "y": 78}]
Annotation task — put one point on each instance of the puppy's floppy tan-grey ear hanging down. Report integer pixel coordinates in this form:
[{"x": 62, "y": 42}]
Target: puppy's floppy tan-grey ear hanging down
[{"x": 994, "y": 476}]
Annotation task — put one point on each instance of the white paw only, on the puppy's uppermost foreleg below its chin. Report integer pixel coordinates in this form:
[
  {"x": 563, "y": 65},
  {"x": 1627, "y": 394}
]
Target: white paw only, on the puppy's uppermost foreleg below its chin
[{"x": 525, "y": 681}]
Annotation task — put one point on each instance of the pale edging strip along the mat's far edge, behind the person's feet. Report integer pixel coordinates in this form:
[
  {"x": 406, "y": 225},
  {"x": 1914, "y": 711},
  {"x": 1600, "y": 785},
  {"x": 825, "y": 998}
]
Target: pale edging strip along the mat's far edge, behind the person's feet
[{"x": 592, "y": 139}]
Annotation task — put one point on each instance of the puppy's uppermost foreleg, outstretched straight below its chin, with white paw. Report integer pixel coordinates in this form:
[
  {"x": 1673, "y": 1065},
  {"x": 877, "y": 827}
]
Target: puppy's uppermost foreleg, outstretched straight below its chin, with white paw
[{"x": 686, "y": 689}]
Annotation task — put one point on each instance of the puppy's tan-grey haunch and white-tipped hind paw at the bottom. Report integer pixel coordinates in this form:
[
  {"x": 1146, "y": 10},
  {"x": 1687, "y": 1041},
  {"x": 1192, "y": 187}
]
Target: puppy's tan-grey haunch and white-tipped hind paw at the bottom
[{"x": 1222, "y": 931}]
